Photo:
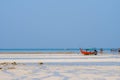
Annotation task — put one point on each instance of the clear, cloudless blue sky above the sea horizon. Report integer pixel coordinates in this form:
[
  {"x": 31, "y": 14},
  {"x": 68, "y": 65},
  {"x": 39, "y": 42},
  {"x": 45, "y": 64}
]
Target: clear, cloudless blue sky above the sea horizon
[{"x": 59, "y": 23}]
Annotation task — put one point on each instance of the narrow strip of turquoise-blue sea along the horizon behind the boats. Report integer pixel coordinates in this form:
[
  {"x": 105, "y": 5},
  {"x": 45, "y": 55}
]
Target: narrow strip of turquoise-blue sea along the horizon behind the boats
[{"x": 77, "y": 50}]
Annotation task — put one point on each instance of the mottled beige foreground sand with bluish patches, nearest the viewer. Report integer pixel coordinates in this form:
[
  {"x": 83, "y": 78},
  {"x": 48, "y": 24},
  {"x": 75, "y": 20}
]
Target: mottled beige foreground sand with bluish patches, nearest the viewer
[{"x": 58, "y": 72}]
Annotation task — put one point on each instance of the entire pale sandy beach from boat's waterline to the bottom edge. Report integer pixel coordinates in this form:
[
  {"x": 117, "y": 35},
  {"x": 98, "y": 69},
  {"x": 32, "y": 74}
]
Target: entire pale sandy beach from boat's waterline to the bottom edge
[{"x": 44, "y": 67}]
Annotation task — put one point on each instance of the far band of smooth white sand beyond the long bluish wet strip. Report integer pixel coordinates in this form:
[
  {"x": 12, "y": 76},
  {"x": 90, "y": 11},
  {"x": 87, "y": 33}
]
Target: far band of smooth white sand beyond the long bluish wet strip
[{"x": 28, "y": 58}]
